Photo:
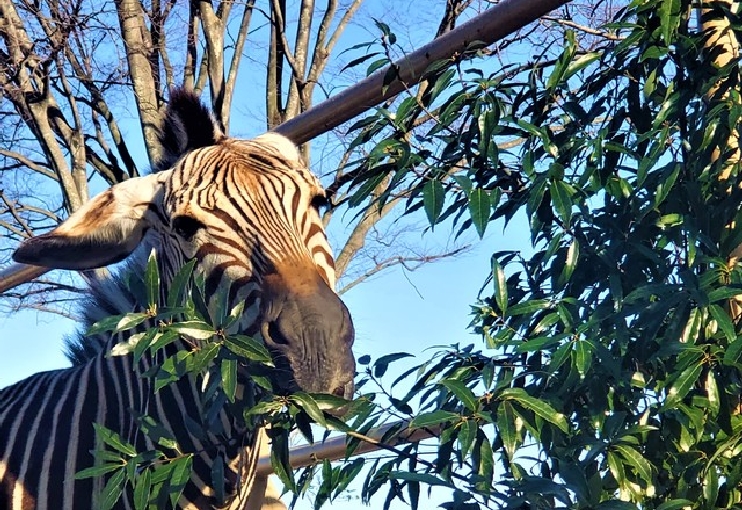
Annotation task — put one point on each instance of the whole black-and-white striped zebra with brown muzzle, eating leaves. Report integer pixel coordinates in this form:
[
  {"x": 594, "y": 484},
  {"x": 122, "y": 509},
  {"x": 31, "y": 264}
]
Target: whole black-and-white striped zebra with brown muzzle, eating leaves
[{"x": 247, "y": 213}]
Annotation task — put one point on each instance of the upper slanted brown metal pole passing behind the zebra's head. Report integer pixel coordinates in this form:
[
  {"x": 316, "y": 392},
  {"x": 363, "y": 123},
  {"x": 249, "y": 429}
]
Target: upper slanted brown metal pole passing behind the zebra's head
[{"x": 492, "y": 25}]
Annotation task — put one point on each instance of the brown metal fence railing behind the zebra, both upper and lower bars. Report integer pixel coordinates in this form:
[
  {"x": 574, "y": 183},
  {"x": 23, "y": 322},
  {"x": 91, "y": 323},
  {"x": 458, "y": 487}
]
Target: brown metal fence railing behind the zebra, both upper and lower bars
[{"x": 492, "y": 25}]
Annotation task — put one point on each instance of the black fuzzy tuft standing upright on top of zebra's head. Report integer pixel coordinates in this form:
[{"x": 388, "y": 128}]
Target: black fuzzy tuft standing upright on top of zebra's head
[{"x": 187, "y": 125}]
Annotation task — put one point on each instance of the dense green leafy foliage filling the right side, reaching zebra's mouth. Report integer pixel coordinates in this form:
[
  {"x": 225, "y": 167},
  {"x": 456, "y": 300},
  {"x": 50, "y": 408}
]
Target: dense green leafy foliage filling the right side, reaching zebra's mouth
[{"x": 611, "y": 367}]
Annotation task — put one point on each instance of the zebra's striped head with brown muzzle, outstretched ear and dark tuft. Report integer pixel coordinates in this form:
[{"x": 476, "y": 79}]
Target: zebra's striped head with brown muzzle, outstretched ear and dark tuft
[{"x": 247, "y": 212}]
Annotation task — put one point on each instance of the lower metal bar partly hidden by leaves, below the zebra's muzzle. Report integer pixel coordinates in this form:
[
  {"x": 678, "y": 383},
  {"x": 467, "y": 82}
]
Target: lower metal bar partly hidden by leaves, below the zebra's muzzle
[{"x": 334, "y": 448}]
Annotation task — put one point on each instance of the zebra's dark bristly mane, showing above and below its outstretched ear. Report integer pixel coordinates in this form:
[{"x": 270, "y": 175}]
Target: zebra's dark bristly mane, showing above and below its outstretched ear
[{"x": 187, "y": 125}]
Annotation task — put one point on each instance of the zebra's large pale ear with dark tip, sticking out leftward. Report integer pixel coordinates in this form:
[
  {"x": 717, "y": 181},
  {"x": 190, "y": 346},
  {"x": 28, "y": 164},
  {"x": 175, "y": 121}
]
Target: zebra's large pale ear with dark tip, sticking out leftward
[{"x": 103, "y": 231}]
